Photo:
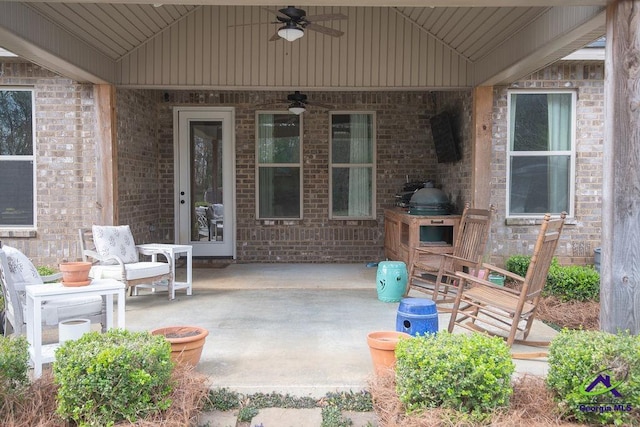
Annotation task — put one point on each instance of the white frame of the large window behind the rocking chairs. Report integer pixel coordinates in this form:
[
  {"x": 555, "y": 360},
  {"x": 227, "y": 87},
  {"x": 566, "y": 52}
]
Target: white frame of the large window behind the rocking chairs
[{"x": 571, "y": 153}]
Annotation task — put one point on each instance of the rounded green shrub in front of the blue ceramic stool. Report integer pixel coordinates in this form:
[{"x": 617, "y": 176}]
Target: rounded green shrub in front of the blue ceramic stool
[{"x": 468, "y": 373}]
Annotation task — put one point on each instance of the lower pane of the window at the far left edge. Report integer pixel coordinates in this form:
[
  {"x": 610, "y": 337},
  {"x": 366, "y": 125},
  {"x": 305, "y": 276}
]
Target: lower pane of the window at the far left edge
[{"x": 16, "y": 193}]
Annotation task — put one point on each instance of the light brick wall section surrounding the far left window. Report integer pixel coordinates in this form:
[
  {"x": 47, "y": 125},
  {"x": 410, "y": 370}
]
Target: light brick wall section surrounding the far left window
[{"x": 65, "y": 162}]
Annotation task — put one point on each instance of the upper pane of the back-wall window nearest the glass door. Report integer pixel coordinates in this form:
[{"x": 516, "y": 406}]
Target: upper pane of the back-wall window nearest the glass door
[{"x": 278, "y": 138}]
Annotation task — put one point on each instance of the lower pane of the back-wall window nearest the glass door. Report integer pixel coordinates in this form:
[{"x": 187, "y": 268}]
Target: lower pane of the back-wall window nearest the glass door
[{"x": 279, "y": 192}]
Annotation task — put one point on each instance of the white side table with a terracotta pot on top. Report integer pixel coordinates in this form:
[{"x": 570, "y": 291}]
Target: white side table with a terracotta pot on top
[{"x": 37, "y": 294}]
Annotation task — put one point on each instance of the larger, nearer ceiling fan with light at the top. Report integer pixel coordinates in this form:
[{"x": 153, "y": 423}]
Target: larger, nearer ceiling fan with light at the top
[{"x": 294, "y": 21}]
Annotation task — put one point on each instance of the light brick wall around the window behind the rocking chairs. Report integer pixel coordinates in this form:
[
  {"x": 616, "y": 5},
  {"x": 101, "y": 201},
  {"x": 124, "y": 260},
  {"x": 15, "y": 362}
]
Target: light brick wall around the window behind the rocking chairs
[{"x": 582, "y": 234}]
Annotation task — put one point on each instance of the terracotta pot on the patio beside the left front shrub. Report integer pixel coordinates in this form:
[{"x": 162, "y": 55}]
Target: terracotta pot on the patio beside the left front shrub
[{"x": 186, "y": 342}]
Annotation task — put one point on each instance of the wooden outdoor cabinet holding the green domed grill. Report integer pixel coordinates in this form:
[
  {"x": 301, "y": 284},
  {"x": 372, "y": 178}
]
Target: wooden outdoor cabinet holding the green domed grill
[{"x": 403, "y": 232}]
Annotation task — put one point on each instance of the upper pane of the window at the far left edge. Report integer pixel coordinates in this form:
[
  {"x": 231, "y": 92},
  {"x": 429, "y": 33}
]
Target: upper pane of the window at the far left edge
[{"x": 16, "y": 130}]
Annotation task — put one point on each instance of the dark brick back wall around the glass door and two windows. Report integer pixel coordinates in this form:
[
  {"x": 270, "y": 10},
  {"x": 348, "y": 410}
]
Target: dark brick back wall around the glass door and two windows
[{"x": 404, "y": 151}]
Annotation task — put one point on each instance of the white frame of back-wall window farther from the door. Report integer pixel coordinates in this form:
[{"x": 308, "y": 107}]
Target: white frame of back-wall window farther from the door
[{"x": 371, "y": 165}]
